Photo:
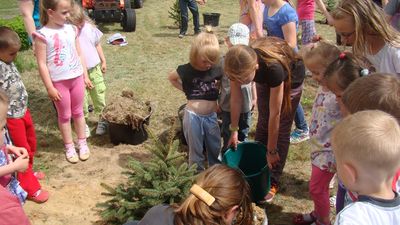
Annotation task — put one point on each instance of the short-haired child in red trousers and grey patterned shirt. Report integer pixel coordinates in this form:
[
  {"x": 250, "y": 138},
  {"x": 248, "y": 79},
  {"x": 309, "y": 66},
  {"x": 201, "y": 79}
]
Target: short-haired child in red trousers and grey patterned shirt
[{"x": 19, "y": 120}]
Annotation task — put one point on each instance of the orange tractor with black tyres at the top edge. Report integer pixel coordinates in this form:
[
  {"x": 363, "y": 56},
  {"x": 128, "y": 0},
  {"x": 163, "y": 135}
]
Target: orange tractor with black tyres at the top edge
[{"x": 105, "y": 11}]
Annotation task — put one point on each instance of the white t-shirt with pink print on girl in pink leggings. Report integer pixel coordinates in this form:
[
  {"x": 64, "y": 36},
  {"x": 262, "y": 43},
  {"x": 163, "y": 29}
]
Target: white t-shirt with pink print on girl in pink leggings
[{"x": 62, "y": 58}]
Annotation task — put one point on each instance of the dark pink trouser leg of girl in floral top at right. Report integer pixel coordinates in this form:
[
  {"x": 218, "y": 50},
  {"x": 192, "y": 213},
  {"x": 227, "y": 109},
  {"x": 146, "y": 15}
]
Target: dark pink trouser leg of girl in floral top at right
[{"x": 319, "y": 191}]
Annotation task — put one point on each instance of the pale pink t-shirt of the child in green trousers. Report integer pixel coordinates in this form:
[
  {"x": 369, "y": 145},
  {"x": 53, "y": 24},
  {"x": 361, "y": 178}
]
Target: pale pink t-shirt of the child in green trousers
[{"x": 89, "y": 38}]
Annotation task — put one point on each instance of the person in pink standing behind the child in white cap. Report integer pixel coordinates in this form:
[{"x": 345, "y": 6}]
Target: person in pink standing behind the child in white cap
[{"x": 251, "y": 14}]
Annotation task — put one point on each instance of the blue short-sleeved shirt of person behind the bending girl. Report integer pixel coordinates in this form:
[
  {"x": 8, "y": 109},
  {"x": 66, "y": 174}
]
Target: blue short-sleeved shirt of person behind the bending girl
[{"x": 273, "y": 24}]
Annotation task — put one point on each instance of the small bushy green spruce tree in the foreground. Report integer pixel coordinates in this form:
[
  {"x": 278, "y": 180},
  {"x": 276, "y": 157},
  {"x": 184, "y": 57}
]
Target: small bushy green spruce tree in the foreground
[{"x": 161, "y": 180}]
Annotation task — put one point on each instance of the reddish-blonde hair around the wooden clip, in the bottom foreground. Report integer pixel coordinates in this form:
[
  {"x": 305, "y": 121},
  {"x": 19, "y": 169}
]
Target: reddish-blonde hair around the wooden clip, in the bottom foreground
[{"x": 228, "y": 187}]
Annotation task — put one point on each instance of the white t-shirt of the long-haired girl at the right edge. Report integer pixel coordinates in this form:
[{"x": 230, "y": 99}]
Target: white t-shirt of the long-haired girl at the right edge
[{"x": 387, "y": 60}]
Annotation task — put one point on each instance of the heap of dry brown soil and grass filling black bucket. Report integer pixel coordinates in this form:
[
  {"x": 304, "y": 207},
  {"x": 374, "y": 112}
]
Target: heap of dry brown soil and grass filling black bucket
[{"x": 128, "y": 110}]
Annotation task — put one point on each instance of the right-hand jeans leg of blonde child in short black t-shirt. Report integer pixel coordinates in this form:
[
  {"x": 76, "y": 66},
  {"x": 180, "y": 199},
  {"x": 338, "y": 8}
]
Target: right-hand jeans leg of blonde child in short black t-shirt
[{"x": 212, "y": 138}]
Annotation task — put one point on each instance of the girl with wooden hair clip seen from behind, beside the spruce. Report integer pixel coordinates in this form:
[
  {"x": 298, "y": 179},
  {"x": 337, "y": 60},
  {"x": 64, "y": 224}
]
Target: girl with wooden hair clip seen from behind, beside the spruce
[{"x": 225, "y": 185}]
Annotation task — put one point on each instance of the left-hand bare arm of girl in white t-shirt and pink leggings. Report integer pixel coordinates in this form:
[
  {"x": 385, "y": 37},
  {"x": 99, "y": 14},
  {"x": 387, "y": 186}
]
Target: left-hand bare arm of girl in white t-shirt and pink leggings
[{"x": 40, "y": 52}]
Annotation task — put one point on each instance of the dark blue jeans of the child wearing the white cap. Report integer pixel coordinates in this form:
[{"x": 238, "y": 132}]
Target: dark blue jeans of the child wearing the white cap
[{"x": 244, "y": 127}]
